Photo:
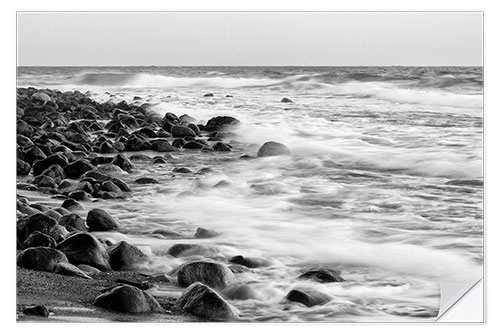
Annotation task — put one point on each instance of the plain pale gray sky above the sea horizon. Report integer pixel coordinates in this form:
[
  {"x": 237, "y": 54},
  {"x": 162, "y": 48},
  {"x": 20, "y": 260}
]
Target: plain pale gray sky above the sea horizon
[{"x": 267, "y": 39}]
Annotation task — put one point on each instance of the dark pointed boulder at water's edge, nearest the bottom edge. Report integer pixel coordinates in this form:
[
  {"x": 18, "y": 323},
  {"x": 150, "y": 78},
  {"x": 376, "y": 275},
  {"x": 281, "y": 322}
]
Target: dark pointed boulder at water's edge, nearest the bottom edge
[{"x": 200, "y": 300}]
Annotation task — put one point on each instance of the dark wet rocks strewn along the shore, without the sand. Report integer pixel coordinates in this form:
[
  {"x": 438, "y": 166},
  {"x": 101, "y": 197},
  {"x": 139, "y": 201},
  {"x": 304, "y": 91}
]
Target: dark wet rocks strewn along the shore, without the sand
[{"x": 73, "y": 148}]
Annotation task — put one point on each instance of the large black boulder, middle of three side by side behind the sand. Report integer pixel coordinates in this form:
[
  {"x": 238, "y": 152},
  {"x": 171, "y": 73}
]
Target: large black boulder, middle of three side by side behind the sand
[{"x": 84, "y": 248}]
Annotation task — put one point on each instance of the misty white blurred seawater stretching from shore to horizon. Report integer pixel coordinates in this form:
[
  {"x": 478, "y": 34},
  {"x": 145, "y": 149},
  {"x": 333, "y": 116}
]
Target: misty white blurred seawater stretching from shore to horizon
[{"x": 382, "y": 182}]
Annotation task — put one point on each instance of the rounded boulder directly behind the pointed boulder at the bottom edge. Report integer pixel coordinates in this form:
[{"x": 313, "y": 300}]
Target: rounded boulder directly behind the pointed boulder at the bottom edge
[{"x": 212, "y": 274}]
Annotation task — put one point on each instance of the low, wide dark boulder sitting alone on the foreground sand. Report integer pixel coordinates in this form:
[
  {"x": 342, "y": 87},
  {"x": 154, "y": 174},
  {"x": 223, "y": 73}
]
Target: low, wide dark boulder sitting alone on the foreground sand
[{"x": 128, "y": 299}]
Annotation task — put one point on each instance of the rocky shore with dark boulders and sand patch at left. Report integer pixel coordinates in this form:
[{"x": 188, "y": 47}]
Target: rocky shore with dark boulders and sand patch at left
[{"x": 71, "y": 149}]
